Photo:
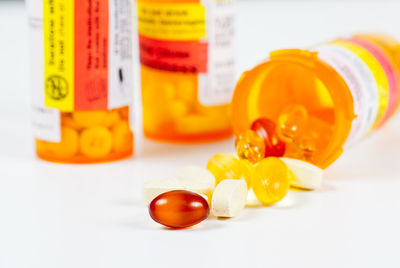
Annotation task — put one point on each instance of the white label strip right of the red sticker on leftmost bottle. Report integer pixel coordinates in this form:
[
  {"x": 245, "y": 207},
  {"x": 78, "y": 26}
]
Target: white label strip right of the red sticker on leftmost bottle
[{"x": 120, "y": 53}]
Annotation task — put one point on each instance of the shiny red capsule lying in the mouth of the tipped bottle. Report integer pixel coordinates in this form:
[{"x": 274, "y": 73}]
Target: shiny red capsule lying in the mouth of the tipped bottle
[{"x": 266, "y": 129}]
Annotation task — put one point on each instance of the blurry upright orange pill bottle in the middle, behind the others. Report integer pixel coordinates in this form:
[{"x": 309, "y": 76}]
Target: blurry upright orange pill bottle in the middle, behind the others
[{"x": 187, "y": 68}]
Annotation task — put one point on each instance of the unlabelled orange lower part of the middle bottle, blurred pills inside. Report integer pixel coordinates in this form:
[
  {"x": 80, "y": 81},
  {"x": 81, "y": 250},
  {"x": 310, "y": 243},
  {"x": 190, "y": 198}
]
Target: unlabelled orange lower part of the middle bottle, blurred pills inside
[{"x": 171, "y": 107}]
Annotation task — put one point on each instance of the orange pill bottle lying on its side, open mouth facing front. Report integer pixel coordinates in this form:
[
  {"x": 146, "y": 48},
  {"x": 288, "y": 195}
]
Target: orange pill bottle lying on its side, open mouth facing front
[{"x": 323, "y": 99}]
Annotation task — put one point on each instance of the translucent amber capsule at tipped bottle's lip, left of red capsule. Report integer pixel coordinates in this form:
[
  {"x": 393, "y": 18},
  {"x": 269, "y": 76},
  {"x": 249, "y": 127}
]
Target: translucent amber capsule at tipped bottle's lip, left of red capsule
[{"x": 250, "y": 147}]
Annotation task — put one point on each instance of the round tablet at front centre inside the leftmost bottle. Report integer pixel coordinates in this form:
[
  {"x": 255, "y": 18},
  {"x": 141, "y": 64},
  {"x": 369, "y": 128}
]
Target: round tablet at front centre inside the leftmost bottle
[{"x": 96, "y": 142}]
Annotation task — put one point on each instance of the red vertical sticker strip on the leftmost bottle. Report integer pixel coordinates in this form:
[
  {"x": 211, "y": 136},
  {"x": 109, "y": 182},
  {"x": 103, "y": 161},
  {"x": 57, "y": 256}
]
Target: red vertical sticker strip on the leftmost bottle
[{"x": 91, "y": 50}]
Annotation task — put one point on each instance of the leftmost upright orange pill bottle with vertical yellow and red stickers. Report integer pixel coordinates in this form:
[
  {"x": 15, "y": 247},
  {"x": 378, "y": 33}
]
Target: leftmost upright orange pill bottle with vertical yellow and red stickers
[{"x": 82, "y": 70}]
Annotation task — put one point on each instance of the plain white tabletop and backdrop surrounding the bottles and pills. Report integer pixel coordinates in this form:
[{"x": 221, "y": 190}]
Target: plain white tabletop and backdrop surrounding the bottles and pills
[{"x": 56, "y": 216}]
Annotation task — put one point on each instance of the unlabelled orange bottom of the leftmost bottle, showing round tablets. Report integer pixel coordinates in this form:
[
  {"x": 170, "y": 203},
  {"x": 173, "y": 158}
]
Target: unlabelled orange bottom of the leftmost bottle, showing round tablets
[{"x": 90, "y": 135}]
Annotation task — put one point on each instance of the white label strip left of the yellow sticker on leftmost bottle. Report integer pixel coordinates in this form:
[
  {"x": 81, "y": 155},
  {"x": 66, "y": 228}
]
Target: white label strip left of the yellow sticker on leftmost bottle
[{"x": 45, "y": 121}]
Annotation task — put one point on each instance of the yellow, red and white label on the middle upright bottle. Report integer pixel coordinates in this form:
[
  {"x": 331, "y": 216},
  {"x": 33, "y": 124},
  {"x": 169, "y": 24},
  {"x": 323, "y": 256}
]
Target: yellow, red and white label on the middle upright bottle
[{"x": 191, "y": 38}]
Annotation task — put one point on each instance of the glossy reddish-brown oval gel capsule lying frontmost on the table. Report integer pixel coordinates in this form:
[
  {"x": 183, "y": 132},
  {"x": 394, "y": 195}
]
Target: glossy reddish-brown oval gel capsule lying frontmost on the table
[{"x": 179, "y": 209}]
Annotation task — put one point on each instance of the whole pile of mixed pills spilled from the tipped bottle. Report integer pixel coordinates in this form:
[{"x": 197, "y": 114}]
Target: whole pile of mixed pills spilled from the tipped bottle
[{"x": 222, "y": 188}]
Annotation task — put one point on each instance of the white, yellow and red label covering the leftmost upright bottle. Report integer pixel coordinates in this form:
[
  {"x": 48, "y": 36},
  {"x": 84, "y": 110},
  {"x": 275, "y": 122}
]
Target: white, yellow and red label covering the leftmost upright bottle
[{"x": 81, "y": 59}]
